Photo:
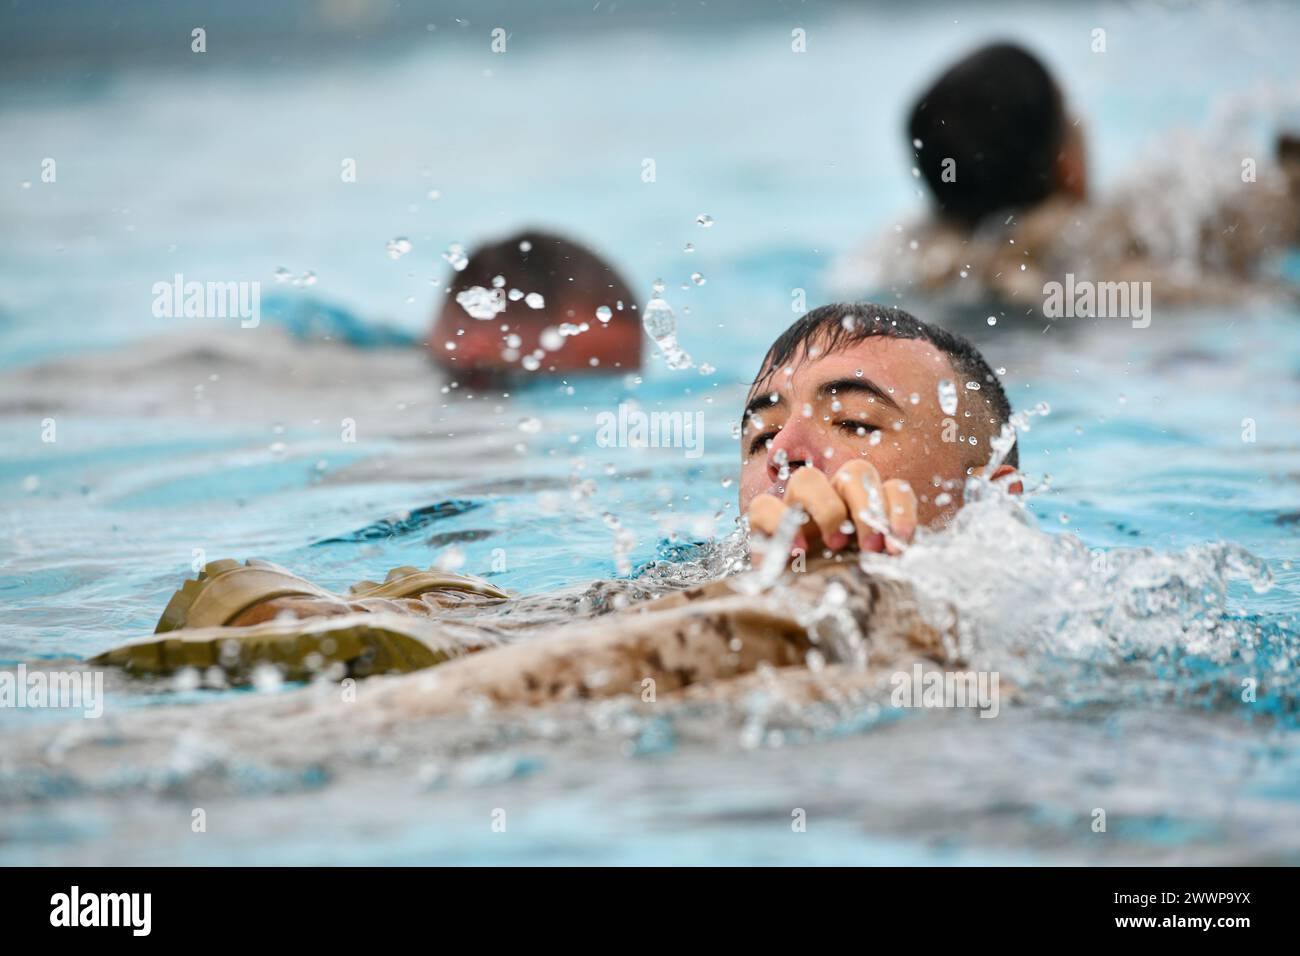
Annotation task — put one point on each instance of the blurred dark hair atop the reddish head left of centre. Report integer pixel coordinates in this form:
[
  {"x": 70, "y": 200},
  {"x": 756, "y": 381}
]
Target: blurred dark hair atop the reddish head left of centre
[{"x": 564, "y": 271}]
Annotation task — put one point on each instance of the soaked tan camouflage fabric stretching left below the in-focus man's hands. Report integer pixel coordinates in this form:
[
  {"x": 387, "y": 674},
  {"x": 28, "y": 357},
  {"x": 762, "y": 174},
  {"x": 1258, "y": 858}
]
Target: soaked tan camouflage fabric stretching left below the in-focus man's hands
[{"x": 694, "y": 638}]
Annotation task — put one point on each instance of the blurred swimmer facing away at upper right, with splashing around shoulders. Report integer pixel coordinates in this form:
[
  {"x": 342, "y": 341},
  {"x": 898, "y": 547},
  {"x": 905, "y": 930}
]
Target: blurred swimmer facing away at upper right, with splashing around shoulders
[{"x": 1006, "y": 165}]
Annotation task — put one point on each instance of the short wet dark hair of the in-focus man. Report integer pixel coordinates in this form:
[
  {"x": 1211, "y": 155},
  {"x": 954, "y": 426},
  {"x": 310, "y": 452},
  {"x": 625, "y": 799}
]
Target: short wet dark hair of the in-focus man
[{"x": 844, "y": 325}]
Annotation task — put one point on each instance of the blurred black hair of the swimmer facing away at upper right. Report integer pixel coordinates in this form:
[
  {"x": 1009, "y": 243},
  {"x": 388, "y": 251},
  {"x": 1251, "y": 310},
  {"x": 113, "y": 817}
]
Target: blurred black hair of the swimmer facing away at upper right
[{"x": 1000, "y": 118}]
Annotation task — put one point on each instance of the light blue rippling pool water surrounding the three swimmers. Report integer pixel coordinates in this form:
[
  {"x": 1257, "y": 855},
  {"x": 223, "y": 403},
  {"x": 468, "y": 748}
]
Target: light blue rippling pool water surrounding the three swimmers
[{"x": 1158, "y": 574}]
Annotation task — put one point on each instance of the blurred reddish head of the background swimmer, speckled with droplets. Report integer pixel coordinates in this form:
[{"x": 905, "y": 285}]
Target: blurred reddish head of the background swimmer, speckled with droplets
[{"x": 569, "y": 284}]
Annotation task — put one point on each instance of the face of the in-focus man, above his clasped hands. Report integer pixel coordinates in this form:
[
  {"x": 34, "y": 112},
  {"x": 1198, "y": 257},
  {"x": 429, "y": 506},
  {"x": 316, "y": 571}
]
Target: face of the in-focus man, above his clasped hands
[{"x": 877, "y": 400}]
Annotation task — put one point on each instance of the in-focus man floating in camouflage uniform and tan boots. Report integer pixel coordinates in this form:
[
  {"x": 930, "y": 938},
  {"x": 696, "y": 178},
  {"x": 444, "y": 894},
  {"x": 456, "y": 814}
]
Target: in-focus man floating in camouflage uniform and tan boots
[{"x": 846, "y": 452}]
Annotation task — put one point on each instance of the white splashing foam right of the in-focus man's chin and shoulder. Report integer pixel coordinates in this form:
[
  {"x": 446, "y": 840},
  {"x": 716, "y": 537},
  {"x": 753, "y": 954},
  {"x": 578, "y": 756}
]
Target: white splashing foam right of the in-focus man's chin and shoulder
[{"x": 1121, "y": 621}]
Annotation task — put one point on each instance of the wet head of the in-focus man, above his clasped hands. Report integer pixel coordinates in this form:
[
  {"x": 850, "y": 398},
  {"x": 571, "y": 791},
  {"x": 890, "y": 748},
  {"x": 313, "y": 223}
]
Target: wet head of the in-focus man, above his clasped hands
[{"x": 868, "y": 382}]
